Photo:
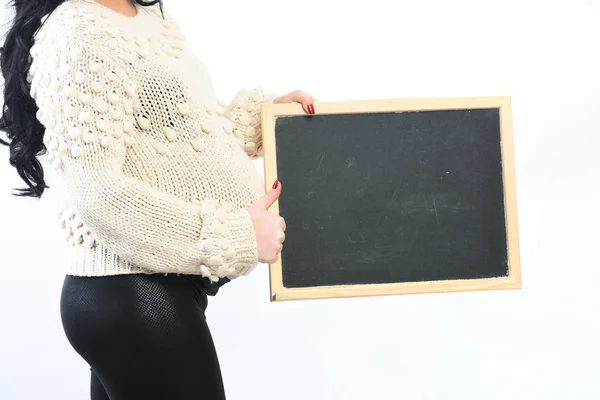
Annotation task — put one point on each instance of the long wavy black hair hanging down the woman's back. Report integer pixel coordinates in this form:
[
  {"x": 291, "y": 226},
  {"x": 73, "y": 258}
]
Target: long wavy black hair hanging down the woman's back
[{"x": 23, "y": 130}]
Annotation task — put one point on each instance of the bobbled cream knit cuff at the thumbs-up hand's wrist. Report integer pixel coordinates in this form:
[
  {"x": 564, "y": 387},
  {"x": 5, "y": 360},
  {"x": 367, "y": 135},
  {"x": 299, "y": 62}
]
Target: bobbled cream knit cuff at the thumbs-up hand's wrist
[{"x": 227, "y": 242}]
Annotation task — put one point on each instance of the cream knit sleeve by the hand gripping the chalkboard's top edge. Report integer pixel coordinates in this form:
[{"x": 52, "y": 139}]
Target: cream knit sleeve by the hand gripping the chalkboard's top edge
[{"x": 245, "y": 113}]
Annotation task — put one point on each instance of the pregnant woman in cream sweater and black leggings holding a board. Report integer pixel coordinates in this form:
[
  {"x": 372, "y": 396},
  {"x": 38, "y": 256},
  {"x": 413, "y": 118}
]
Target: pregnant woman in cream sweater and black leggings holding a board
[{"x": 164, "y": 202}]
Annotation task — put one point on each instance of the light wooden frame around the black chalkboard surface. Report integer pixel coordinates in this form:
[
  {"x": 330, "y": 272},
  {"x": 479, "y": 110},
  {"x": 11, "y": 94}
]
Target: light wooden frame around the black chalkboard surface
[{"x": 512, "y": 281}]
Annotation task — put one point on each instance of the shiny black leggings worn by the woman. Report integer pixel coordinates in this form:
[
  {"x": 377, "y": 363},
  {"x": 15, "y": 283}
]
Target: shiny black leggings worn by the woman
[{"x": 144, "y": 336}]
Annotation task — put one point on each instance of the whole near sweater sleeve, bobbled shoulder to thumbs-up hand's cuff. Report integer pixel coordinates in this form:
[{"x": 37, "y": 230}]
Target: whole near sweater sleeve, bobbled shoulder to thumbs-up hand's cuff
[{"x": 88, "y": 105}]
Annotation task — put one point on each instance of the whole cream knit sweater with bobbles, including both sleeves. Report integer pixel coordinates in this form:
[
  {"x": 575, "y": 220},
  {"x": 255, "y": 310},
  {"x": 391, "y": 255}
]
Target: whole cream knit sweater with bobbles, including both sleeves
[{"x": 158, "y": 170}]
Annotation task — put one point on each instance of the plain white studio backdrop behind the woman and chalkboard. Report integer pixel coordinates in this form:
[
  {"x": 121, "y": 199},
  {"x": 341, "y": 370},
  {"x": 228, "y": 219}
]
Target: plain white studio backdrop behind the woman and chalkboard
[{"x": 537, "y": 343}]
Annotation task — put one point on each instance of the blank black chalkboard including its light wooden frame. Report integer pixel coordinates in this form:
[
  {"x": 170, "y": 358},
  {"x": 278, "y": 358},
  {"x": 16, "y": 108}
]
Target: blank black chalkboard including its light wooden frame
[{"x": 392, "y": 197}]
